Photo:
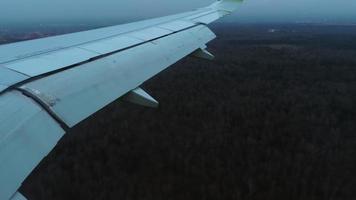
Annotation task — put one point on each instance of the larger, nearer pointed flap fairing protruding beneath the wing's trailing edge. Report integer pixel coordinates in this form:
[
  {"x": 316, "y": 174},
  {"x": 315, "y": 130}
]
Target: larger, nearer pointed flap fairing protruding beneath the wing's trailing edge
[{"x": 140, "y": 97}]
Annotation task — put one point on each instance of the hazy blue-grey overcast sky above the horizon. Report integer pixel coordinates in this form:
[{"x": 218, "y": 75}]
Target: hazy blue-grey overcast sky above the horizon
[{"x": 256, "y": 11}]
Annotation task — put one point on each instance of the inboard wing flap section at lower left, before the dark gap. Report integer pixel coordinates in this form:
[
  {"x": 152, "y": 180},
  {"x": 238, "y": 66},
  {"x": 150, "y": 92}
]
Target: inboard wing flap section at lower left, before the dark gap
[{"x": 27, "y": 135}]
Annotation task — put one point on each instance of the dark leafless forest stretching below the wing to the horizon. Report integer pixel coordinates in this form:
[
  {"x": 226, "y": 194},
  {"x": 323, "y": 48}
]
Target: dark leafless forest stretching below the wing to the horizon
[{"x": 273, "y": 117}]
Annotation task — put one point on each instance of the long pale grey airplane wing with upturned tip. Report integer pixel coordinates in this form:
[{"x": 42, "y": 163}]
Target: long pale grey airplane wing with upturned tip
[{"x": 49, "y": 85}]
